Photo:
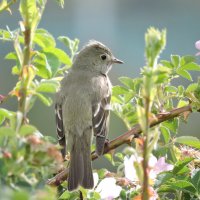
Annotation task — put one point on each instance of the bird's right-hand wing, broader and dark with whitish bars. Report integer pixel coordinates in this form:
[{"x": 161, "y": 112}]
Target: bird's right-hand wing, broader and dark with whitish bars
[{"x": 100, "y": 122}]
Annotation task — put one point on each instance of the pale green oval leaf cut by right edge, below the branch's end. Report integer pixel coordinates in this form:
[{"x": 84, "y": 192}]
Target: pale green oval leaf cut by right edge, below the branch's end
[{"x": 188, "y": 140}]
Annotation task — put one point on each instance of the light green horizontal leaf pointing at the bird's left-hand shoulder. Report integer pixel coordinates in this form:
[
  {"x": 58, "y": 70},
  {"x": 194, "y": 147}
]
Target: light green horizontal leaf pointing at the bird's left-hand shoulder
[{"x": 49, "y": 86}]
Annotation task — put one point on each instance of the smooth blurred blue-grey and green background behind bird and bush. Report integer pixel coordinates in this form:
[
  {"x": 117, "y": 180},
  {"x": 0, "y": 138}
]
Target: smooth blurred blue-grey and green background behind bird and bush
[{"x": 121, "y": 25}]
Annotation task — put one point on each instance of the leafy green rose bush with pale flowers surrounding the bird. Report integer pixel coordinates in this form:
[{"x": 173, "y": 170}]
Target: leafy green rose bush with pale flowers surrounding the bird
[{"x": 28, "y": 159}]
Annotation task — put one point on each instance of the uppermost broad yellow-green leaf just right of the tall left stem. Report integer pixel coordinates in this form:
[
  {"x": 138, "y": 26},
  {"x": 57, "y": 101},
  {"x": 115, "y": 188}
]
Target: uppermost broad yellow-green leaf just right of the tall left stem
[{"x": 44, "y": 39}]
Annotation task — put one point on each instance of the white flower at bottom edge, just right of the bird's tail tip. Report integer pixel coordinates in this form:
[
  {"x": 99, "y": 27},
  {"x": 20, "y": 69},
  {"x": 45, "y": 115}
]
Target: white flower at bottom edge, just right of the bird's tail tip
[{"x": 108, "y": 189}]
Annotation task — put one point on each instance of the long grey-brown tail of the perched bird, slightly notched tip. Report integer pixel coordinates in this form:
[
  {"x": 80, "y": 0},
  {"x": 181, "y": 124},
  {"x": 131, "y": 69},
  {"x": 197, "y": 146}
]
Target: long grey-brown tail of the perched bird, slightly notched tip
[{"x": 80, "y": 168}]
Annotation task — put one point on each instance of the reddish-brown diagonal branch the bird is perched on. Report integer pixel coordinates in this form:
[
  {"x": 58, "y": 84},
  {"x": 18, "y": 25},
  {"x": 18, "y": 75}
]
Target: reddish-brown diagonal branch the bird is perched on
[{"x": 125, "y": 139}]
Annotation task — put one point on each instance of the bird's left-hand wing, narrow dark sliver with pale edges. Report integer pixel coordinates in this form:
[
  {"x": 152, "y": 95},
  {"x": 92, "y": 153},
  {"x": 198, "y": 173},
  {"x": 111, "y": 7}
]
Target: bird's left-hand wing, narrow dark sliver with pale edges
[{"x": 60, "y": 129}]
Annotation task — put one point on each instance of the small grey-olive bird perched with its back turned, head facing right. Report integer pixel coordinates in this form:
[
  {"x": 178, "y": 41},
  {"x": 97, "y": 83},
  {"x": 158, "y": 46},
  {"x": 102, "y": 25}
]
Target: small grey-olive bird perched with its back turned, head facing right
[{"x": 82, "y": 109}]
